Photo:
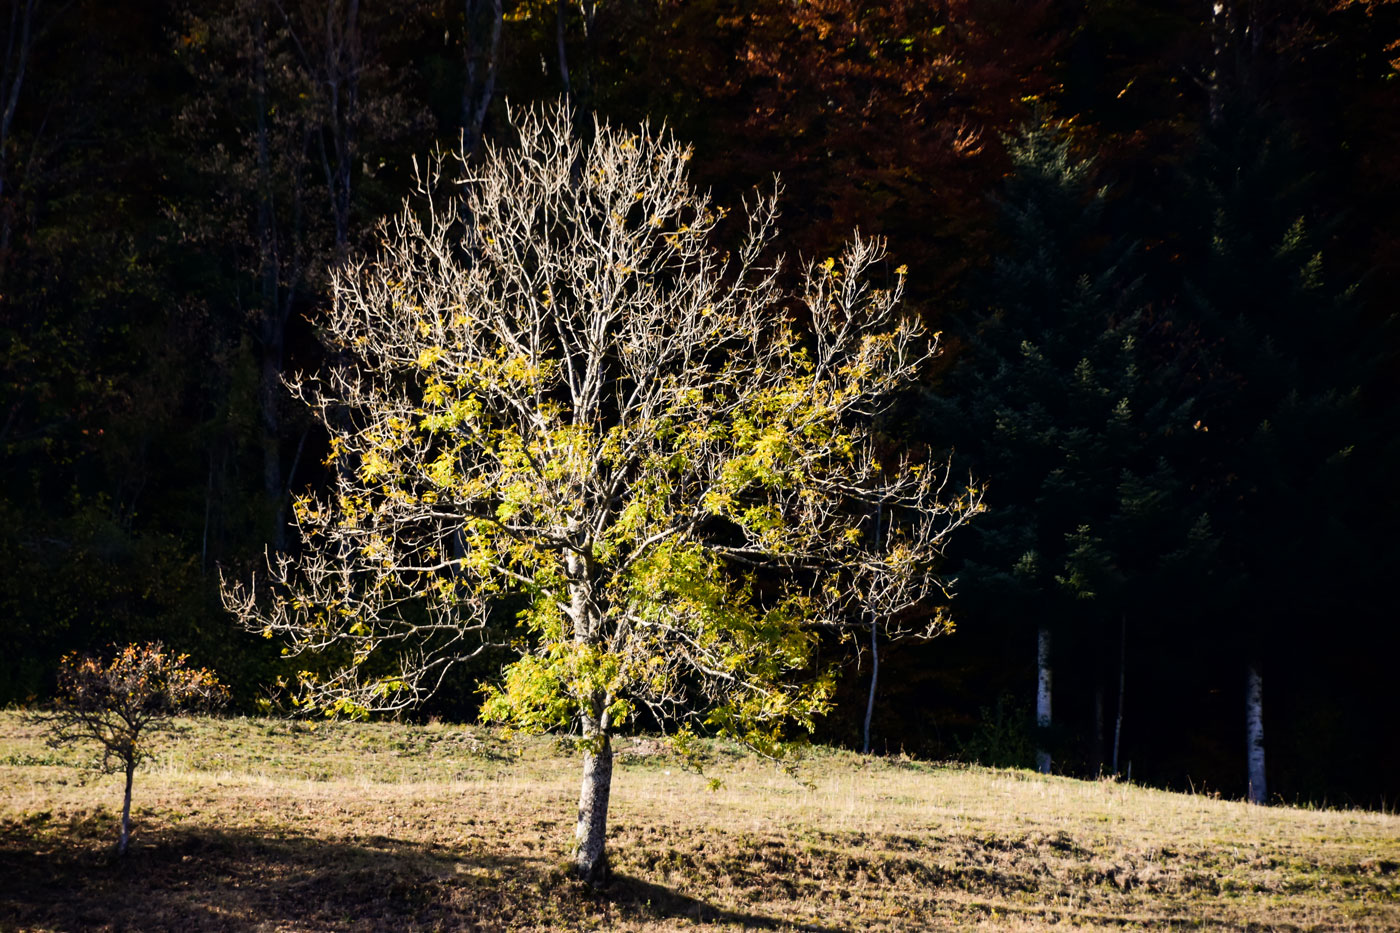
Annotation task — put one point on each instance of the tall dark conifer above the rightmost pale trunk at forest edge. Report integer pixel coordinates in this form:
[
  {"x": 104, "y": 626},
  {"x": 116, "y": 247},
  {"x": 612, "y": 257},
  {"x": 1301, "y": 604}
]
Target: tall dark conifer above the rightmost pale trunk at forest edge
[{"x": 1280, "y": 371}]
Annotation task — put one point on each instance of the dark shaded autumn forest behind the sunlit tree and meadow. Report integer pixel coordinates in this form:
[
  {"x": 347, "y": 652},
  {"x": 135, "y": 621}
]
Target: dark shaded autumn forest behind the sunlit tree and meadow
[{"x": 1160, "y": 242}]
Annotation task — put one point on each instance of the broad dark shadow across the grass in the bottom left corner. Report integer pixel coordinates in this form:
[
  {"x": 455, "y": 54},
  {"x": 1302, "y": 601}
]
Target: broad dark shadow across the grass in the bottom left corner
[{"x": 64, "y": 876}]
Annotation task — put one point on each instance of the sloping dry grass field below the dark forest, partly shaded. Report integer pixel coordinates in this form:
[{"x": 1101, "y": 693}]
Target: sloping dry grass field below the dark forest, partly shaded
[{"x": 269, "y": 826}]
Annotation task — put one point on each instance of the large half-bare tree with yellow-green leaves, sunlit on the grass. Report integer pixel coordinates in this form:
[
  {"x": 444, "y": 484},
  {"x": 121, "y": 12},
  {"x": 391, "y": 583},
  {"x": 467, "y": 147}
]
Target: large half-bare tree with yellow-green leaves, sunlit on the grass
[{"x": 556, "y": 387}]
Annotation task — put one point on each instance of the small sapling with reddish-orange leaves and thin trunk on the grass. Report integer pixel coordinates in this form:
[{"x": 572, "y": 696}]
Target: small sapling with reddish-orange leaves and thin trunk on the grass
[{"x": 122, "y": 705}]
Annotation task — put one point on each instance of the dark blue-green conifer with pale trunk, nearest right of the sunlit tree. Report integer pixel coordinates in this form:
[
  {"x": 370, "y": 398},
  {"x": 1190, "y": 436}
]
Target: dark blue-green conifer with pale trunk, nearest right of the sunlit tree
[{"x": 1052, "y": 406}]
